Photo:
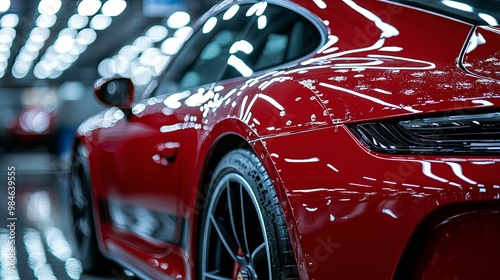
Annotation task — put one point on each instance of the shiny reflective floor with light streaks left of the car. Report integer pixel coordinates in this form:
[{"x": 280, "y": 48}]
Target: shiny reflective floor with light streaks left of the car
[{"x": 38, "y": 222}]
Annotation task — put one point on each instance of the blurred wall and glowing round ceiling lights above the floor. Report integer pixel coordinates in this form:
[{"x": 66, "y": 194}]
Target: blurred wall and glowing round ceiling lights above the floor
[{"x": 52, "y": 51}]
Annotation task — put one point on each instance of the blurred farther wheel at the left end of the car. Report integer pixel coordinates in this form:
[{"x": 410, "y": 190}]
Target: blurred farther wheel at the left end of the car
[{"x": 82, "y": 219}]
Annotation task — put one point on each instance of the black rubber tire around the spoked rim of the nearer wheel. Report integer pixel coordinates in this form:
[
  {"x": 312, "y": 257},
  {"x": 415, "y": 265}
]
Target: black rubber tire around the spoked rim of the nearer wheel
[{"x": 246, "y": 164}]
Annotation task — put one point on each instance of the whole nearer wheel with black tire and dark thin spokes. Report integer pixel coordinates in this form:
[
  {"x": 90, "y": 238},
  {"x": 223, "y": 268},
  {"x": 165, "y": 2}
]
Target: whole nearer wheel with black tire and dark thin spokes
[{"x": 243, "y": 230}]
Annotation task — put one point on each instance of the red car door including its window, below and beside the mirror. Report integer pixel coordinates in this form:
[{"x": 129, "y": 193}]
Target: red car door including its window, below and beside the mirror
[{"x": 146, "y": 153}]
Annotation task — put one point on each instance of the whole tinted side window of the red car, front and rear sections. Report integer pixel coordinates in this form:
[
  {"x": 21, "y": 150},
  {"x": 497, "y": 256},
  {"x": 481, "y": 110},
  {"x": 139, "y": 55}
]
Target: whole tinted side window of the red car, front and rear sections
[{"x": 274, "y": 35}]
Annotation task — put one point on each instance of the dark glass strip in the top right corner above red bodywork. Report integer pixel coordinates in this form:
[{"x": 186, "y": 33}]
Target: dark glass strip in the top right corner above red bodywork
[{"x": 479, "y": 12}]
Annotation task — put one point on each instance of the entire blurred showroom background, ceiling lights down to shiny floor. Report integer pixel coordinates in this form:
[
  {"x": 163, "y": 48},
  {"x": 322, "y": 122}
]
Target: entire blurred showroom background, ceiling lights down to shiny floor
[{"x": 51, "y": 53}]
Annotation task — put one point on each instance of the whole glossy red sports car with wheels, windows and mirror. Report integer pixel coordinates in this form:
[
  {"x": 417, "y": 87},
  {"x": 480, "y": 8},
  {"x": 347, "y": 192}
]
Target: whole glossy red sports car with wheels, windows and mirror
[{"x": 314, "y": 139}]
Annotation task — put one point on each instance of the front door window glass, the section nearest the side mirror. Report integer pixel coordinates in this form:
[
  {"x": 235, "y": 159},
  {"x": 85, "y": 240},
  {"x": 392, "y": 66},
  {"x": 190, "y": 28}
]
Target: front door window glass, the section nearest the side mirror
[{"x": 203, "y": 58}]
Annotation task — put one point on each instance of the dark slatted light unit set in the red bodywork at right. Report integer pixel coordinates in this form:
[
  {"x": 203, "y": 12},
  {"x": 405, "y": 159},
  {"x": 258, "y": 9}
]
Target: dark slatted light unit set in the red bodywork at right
[{"x": 462, "y": 134}]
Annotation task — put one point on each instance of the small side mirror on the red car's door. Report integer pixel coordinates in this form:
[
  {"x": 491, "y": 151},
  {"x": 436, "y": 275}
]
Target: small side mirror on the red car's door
[{"x": 117, "y": 92}]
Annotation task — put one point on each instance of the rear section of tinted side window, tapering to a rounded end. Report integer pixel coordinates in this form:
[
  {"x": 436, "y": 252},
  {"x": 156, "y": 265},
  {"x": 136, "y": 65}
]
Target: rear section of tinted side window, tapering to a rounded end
[{"x": 276, "y": 36}]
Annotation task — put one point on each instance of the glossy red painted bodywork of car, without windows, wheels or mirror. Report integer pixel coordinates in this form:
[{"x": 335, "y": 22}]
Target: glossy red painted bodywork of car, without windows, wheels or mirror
[{"x": 352, "y": 212}]
